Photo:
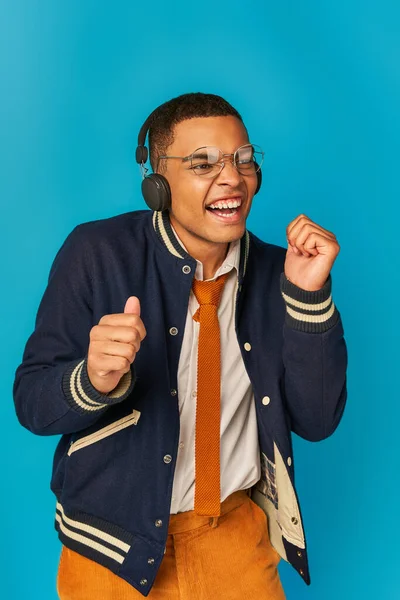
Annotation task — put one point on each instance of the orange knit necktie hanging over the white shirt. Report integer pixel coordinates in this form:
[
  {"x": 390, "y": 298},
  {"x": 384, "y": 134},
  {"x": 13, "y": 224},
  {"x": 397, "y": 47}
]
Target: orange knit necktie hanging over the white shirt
[{"x": 207, "y": 495}]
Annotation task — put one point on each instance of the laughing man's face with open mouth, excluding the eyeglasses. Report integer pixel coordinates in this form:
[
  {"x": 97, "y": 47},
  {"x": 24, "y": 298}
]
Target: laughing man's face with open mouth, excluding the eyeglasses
[{"x": 192, "y": 194}]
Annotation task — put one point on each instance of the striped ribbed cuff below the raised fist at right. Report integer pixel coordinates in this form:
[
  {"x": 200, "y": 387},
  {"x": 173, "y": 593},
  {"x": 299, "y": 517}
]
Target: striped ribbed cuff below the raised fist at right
[{"x": 311, "y": 312}]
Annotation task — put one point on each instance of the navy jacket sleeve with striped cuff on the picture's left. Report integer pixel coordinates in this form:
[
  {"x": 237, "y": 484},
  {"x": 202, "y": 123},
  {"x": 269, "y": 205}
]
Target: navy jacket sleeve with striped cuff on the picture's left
[{"x": 52, "y": 390}]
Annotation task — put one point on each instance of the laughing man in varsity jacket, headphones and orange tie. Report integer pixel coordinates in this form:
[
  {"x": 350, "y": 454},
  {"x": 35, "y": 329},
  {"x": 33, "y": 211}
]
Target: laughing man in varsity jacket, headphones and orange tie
[{"x": 176, "y": 352}]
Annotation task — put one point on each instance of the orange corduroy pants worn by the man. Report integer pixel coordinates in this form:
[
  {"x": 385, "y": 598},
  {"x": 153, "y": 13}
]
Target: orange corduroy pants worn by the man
[{"x": 226, "y": 558}]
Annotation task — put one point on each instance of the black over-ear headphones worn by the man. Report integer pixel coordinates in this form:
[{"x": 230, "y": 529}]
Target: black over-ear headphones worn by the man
[{"x": 155, "y": 187}]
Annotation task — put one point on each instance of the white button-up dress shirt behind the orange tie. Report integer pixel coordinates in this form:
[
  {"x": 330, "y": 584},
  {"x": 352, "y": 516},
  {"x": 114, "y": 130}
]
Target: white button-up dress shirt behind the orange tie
[{"x": 240, "y": 455}]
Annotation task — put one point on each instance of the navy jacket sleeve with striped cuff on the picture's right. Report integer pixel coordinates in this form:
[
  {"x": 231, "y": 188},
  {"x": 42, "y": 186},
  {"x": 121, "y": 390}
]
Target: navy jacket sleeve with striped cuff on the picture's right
[{"x": 315, "y": 361}]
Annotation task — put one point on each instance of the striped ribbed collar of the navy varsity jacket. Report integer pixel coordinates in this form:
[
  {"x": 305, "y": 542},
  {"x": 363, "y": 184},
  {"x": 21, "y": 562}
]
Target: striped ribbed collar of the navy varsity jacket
[{"x": 163, "y": 229}]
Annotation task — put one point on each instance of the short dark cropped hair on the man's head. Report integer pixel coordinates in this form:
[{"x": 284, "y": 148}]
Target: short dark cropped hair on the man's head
[{"x": 176, "y": 110}]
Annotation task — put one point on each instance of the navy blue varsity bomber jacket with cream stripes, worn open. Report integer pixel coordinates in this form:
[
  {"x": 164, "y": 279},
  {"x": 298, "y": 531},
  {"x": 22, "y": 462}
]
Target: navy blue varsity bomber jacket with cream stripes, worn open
[{"x": 112, "y": 484}]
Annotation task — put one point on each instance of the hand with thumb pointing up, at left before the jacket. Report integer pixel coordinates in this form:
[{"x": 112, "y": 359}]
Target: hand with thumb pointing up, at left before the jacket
[{"x": 114, "y": 343}]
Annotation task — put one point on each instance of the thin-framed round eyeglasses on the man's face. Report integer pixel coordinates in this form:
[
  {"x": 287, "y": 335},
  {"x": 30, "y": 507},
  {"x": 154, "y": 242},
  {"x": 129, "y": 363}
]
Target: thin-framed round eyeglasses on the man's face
[{"x": 208, "y": 161}]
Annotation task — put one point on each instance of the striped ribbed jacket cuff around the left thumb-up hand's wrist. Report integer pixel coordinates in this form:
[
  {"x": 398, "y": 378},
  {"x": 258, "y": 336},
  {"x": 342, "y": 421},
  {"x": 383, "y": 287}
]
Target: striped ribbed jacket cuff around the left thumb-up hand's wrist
[{"x": 84, "y": 398}]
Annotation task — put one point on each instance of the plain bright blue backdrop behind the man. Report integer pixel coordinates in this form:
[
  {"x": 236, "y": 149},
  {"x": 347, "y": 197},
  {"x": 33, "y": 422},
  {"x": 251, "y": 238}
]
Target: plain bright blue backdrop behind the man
[{"x": 318, "y": 85}]
